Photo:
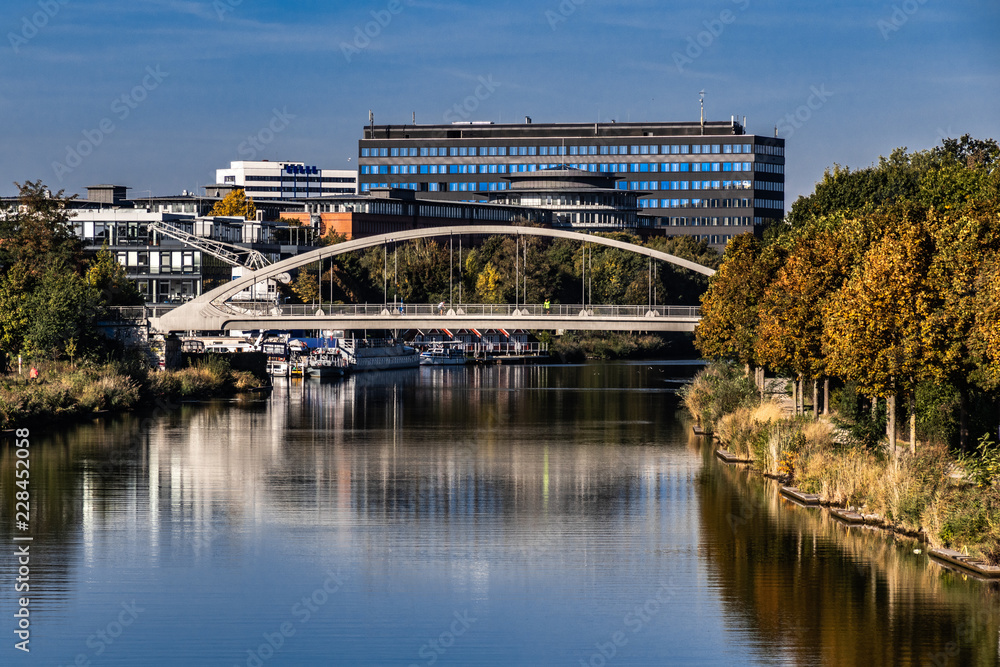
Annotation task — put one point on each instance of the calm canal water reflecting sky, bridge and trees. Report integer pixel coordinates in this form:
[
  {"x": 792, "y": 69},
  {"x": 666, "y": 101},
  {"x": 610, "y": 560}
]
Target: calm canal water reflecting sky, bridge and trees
[{"x": 471, "y": 516}]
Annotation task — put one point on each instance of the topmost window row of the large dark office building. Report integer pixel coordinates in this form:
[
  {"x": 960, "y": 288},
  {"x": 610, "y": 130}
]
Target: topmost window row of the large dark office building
[{"x": 633, "y": 149}]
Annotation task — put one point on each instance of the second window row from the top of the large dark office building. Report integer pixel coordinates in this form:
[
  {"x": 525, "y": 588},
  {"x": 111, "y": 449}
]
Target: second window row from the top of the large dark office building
[{"x": 613, "y": 167}]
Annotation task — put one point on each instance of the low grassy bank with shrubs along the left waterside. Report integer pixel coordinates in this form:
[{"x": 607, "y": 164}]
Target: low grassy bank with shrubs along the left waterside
[{"x": 68, "y": 391}]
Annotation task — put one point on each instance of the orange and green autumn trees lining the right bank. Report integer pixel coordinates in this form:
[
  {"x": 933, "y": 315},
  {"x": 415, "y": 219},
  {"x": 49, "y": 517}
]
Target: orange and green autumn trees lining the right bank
[{"x": 885, "y": 279}]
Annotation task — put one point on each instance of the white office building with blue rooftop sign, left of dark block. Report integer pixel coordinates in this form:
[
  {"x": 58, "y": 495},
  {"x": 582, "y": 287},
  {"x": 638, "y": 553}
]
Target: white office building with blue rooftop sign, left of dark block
[{"x": 263, "y": 179}]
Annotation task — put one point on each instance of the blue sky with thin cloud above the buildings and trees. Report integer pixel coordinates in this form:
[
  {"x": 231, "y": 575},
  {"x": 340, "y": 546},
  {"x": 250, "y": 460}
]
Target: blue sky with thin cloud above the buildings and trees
[{"x": 157, "y": 94}]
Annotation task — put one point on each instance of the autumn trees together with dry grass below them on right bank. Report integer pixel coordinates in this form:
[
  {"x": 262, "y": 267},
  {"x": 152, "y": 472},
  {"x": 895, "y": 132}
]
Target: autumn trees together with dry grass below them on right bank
[{"x": 882, "y": 283}]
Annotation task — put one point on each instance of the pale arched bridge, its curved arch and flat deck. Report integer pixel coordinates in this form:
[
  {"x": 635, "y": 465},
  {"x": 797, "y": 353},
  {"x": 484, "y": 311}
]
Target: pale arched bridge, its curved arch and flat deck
[{"x": 212, "y": 311}]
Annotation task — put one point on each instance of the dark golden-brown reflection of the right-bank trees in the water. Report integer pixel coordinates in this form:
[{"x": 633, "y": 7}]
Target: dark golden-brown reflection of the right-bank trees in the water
[{"x": 802, "y": 588}]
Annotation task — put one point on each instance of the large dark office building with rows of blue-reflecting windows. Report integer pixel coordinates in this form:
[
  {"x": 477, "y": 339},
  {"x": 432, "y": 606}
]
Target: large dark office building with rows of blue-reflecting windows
[{"x": 710, "y": 180}]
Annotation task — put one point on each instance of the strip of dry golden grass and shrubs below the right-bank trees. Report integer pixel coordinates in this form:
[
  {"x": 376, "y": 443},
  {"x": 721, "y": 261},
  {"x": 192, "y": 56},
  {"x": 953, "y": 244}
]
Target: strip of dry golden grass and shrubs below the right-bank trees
[{"x": 953, "y": 500}]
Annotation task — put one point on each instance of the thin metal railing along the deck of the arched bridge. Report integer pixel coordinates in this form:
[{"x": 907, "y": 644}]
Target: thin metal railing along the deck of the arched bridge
[{"x": 458, "y": 310}]
